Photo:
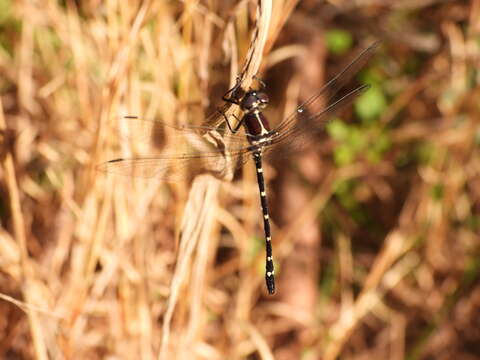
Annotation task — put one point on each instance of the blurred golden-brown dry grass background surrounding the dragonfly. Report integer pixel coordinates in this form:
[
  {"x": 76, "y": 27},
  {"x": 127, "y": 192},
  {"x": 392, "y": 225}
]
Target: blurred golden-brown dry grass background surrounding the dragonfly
[{"x": 377, "y": 258}]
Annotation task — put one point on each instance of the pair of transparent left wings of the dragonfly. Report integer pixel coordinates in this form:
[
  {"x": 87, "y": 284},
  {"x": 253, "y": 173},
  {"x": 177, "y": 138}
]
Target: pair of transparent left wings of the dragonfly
[{"x": 176, "y": 152}]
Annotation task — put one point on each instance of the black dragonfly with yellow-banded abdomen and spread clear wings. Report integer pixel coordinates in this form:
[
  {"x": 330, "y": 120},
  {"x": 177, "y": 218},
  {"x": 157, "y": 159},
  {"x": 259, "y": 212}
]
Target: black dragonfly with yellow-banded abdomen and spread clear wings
[{"x": 210, "y": 149}]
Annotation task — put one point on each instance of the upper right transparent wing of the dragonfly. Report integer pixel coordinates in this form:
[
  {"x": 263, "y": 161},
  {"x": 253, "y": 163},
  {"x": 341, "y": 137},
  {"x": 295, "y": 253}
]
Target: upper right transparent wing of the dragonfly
[{"x": 328, "y": 91}]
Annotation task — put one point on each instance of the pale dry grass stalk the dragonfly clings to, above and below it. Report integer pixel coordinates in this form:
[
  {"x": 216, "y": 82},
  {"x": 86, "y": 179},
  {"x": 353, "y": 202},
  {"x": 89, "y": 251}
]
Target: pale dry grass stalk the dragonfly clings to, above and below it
[{"x": 197, "y": 225}]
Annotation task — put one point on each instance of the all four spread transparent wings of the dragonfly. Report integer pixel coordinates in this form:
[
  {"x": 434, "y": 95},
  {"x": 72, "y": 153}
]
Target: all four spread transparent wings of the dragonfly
[{"x": 204, "y": 149}]
